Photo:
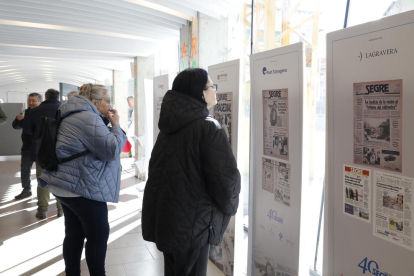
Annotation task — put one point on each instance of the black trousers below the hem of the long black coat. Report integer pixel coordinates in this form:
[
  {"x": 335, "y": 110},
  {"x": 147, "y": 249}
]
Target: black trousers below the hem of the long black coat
[{"x": 190, "y": 263}]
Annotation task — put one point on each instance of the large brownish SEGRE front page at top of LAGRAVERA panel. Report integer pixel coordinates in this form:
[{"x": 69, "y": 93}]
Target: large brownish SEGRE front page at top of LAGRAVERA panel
[{"x": 378, "y": 124}]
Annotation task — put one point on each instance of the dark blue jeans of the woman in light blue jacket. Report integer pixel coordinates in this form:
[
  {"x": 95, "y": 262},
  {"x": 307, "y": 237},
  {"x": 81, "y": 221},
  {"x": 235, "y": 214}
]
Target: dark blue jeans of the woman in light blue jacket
[{"x": 85, "y": 218}]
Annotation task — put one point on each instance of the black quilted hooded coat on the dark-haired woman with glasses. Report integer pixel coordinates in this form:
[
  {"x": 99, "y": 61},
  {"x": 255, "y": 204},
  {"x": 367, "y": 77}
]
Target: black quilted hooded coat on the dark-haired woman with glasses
[{"x": 194, "y": 184}]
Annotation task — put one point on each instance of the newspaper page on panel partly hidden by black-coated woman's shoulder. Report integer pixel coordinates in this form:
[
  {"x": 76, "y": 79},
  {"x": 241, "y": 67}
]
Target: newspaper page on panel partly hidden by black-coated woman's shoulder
[{"x": 223, "y": 112}]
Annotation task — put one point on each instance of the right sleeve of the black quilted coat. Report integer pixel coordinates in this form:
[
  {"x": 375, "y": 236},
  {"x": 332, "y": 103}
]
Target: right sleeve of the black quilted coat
[{"x": 221, "y": 173}]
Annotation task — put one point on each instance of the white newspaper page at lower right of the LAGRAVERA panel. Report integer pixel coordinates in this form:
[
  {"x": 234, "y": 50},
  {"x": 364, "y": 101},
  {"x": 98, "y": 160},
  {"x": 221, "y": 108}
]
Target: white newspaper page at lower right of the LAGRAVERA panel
[{"x": 392, "y": 207}]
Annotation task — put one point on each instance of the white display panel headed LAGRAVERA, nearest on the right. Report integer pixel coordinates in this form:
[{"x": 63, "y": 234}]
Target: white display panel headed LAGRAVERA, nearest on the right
[{"x": 369, "y": 124}]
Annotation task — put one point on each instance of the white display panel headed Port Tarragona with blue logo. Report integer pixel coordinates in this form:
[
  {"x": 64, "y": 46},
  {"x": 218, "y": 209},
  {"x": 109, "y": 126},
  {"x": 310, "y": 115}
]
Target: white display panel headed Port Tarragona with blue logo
[{"x": 275, "y": 193}]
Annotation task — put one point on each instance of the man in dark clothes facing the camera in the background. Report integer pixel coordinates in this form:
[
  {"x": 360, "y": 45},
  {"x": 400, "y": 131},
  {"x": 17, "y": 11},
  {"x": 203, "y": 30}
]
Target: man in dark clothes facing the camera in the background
[{"x": 34, "y": 100}]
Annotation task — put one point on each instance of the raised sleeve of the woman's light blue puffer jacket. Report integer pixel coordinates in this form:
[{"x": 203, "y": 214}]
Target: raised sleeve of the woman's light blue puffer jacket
[{"x": 103, "y": 142}]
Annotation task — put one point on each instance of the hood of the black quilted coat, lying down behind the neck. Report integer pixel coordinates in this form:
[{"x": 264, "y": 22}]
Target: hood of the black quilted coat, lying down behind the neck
[{"x": 178, "y": 110}]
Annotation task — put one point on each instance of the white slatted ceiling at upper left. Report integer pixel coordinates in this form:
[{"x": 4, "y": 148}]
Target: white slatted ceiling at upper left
[{"x": 79, "y": 41}]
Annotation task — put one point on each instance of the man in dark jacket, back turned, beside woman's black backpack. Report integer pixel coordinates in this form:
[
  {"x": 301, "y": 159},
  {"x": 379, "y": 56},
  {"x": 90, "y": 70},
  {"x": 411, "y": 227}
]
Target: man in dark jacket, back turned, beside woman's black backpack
[{"x": 31, "y": 125}]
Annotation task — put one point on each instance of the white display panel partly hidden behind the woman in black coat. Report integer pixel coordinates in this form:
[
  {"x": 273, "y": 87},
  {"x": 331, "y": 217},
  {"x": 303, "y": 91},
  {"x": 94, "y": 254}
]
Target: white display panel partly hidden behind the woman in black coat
[{"x": 227, "y": 257}]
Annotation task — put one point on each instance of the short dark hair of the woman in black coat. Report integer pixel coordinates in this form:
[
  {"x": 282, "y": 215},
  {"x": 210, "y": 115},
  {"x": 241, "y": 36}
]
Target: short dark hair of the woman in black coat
[{"x": 191, "y": 82}]
